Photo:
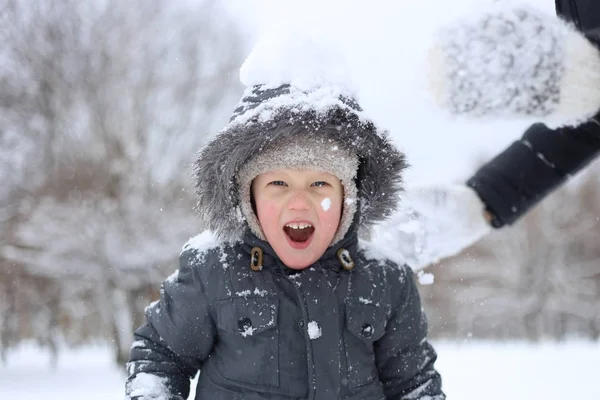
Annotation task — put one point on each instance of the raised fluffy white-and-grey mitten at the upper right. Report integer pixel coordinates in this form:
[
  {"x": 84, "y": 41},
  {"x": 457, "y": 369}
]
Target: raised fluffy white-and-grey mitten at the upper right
[{"x": 515, "y": 62}]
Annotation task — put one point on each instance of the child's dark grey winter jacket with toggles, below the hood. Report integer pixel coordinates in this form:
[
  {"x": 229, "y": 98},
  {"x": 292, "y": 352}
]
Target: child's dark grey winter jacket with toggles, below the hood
[{"x": 322, "y": 333}]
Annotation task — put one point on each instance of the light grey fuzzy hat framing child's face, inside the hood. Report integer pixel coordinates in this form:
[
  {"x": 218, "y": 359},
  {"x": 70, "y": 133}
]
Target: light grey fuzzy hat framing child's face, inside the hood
[{"x": 301, "y": 150}]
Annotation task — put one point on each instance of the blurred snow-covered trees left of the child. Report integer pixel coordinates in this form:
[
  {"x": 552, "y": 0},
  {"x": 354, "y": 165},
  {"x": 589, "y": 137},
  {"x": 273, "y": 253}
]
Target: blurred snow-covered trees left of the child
[{"x": 102, "y": 107}]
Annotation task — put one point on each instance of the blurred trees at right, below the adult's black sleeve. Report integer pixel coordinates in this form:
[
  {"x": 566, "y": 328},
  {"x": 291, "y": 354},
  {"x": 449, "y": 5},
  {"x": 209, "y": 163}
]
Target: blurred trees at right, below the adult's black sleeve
[{"x": 537, "y": 279}]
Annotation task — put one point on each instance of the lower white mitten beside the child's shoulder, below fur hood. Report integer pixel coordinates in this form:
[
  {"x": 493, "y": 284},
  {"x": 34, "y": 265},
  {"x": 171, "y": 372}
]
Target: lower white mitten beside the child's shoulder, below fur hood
[{"x": 433, "y": 222}]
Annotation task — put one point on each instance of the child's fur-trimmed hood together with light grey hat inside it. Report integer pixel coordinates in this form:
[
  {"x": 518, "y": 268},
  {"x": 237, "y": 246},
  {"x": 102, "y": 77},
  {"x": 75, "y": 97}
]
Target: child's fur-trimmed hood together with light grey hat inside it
[{"x": 284, "y": 127}]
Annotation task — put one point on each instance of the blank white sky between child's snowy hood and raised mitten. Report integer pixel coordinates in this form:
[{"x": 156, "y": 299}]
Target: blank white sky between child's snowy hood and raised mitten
[{"x": 384, "y": 46}]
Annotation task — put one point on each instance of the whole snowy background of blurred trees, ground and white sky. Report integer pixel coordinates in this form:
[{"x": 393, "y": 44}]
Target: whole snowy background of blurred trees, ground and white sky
[{"x": 131, "y": 94}]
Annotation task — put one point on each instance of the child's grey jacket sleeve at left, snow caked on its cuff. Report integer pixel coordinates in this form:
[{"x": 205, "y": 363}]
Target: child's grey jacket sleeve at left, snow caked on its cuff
[{"x": 177, "y": 337}]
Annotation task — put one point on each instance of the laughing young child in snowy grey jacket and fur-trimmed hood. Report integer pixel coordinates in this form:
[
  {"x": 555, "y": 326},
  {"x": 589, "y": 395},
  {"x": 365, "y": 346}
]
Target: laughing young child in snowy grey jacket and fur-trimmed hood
[{"x": 288, "y": 305}]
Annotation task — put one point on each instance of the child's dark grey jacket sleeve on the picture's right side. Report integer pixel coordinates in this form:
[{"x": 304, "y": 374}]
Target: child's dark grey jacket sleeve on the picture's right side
[{"x": 404, "y": 357}]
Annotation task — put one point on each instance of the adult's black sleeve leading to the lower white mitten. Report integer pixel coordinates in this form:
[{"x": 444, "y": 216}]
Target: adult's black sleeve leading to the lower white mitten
[{"x": 532, "y": 167}]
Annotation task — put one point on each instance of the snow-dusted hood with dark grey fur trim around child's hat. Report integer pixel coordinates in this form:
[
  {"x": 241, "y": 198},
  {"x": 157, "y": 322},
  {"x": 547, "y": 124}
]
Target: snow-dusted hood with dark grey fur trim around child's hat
[{"x": 262, "y": 120}]
